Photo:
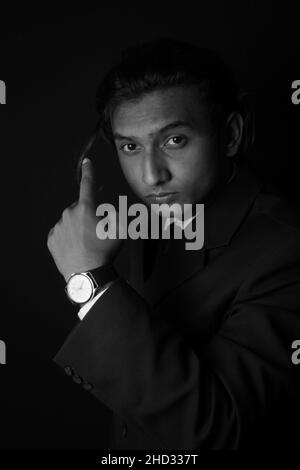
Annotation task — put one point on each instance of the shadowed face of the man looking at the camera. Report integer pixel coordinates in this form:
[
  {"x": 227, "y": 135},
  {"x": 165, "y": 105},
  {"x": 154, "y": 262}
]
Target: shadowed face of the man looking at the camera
[{"x": 167, "y": 147}]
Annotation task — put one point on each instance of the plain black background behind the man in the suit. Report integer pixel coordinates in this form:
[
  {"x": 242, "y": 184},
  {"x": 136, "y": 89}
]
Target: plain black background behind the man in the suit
[{"x": 51, "y": 62}]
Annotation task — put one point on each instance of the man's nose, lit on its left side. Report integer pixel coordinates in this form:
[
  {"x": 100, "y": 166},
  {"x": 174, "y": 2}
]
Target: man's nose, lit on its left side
[{"x": 155, "y": 170}]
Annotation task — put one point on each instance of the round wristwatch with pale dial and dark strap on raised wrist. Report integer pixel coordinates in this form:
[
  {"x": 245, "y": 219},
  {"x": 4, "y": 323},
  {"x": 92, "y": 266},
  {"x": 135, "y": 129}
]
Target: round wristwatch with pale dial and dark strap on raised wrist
[{"x": 82, "y": 287}]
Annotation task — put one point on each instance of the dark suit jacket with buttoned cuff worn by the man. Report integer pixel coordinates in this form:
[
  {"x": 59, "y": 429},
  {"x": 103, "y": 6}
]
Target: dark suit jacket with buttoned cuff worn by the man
[{"x": 197, "y": 355}]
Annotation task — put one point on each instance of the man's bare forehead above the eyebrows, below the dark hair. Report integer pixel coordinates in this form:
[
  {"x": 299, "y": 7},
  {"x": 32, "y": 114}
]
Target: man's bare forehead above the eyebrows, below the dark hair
[{"x": 158, "y": 108}]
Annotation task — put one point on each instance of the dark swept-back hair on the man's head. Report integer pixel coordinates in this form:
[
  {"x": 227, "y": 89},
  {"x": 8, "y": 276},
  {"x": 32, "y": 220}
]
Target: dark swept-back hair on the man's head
[{"x": 164, "y": 63}]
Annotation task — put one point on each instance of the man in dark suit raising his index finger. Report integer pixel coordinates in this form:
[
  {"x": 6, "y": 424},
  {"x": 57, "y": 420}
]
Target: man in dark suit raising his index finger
[{"x": 193, "y": 349}]
